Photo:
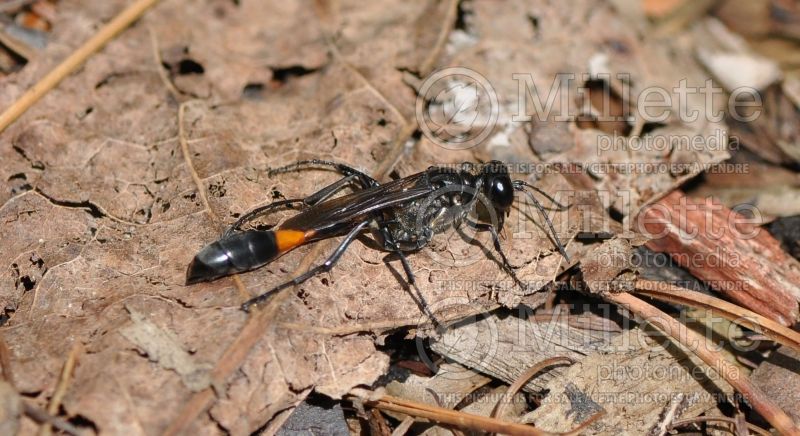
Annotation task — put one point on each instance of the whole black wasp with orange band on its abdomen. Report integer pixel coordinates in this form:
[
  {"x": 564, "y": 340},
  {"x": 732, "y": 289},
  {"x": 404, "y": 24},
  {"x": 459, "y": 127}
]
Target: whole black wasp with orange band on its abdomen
[{"x": 403, "y": 216}]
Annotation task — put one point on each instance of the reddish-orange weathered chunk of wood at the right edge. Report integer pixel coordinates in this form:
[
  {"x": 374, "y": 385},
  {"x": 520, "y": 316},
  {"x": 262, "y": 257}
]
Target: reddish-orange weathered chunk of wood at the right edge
[{"x": 724, "y": 249}]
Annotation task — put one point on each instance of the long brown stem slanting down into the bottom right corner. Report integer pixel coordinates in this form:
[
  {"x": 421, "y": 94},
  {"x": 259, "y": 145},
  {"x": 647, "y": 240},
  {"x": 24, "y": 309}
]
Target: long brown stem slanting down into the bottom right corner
[{"x": 699, "y": 346}]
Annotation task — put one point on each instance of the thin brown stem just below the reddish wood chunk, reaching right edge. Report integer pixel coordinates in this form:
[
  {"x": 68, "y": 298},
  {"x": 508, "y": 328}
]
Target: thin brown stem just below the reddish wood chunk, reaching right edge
[{"x": 675, "y": 294}]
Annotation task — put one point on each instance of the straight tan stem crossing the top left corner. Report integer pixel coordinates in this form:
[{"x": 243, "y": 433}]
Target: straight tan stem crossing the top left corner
[{"x": 75, "y": 60}]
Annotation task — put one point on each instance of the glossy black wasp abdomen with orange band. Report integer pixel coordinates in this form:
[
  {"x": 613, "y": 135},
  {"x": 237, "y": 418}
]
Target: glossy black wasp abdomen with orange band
[{"x": 241, "y": 252}]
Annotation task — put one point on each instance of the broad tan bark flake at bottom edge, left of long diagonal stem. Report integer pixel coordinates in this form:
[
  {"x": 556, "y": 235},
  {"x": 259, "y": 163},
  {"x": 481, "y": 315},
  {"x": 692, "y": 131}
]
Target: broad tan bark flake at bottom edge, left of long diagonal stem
[{"x": 632, "y": 380}]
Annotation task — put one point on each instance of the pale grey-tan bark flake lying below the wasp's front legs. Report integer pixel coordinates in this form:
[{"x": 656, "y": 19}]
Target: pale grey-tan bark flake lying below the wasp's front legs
[{"x": 506, "y": 348}]
